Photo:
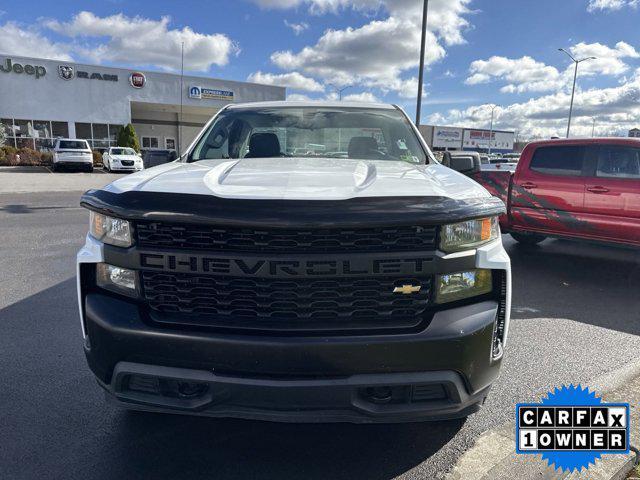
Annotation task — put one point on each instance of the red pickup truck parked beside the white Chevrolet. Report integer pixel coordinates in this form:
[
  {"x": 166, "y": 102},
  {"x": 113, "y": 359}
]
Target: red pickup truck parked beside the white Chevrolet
[{"x": 585, "y": 189}]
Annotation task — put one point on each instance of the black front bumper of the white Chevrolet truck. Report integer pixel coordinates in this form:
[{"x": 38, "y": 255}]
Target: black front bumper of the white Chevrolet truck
[{"x": 319, "y": 378}]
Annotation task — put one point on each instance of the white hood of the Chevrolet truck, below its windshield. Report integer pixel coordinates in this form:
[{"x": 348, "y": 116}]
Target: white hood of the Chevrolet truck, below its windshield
[{"x": 301, "y": 179}]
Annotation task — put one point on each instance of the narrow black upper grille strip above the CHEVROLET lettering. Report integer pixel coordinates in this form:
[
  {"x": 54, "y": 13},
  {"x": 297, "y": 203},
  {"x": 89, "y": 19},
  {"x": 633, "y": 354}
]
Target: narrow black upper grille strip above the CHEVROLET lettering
[{"x": 270, "y": 240}]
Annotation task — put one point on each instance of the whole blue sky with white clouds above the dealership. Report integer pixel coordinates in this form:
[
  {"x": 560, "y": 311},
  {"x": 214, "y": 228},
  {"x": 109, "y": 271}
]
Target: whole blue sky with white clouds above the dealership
[{"x": 481, "y": 54}]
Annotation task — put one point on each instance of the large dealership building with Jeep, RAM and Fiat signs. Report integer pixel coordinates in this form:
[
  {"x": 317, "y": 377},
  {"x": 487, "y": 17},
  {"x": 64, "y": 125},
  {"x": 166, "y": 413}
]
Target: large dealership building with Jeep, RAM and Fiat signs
[{"x": 41, "y": 100}]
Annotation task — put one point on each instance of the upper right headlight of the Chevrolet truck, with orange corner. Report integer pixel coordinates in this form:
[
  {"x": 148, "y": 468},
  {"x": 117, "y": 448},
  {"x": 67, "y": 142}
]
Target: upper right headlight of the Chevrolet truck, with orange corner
[{"x": 470, "y": 234}]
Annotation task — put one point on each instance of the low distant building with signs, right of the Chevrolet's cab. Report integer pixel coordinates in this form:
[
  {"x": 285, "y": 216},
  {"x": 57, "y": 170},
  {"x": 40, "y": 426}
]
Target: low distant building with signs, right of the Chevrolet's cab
[{"x": 474, "y": 139}]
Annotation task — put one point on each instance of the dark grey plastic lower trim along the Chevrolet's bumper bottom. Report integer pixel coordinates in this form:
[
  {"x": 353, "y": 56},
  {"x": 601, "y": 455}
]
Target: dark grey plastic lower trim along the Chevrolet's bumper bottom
[{"x": 302, "y": 400}]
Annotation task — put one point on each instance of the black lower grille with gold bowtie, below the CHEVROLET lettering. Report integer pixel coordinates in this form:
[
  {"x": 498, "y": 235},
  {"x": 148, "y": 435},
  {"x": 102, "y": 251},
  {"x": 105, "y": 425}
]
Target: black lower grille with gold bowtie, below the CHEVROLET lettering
[{"x": 341, "y": 303}]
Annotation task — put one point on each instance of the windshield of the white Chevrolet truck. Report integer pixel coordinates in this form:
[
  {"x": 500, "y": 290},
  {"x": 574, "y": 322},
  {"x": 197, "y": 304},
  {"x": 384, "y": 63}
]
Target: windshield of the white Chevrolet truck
[{"x": 338, "y": 132}]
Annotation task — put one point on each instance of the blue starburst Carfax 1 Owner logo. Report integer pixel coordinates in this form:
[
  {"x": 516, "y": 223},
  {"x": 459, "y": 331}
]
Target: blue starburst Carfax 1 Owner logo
[{"x": 572, "y": 428}]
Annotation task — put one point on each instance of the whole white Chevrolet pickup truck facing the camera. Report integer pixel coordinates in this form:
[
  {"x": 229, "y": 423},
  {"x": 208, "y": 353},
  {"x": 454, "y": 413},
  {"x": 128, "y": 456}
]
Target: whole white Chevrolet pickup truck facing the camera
[{"x": 243, "y": 282}]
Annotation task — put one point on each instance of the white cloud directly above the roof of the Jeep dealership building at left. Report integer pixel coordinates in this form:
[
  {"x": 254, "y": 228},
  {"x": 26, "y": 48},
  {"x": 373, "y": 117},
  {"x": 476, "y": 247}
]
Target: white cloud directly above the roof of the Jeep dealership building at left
[{"x": 144, "y": 41}]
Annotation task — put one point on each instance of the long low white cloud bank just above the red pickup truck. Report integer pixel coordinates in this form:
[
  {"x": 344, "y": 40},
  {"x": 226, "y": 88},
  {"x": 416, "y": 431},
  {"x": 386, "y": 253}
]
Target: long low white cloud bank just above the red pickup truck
[{"x": 616, "y": 109}]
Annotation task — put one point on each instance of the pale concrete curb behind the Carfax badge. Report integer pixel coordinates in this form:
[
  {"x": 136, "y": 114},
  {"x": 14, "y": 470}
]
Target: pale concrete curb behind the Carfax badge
[{"x": 493, "y": 457}]
